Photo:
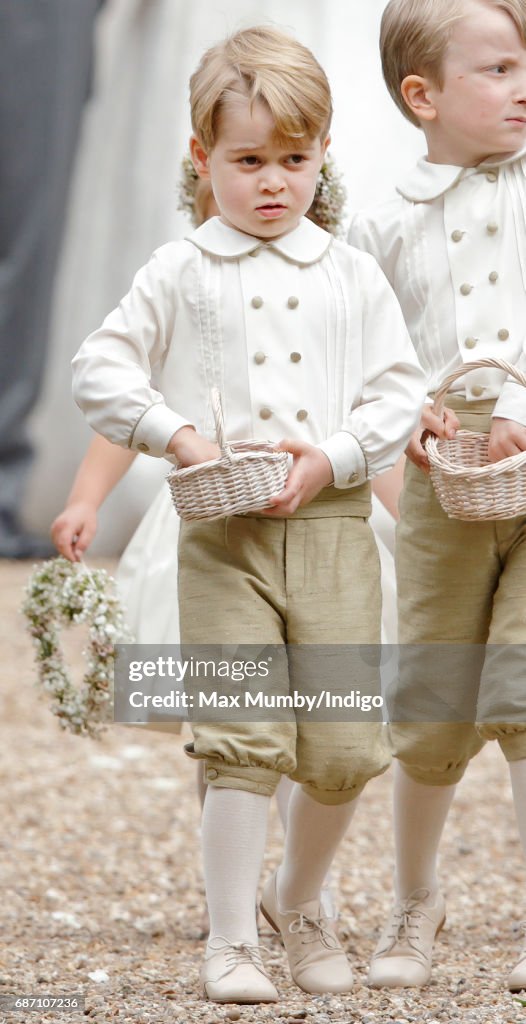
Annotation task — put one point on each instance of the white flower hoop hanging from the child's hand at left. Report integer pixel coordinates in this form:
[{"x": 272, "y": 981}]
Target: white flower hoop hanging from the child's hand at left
[{"x": 63, "y": 593}]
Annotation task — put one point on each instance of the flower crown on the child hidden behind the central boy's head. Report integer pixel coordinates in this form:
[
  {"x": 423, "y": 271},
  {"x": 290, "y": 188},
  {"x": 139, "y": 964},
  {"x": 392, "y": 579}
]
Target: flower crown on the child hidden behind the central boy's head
[{"x": 327, "y": 210}]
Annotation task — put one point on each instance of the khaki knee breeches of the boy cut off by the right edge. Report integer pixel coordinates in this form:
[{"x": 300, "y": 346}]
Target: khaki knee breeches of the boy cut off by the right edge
[{"x": 460, "y": 585}]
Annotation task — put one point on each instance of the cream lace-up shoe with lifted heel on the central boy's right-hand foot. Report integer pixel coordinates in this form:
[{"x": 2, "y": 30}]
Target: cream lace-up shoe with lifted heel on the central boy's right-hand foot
[{"x": 317, "y": 960}]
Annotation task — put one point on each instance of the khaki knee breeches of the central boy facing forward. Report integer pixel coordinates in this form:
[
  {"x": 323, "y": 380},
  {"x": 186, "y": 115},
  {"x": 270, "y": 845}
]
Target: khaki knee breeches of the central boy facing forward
[{"x": 298, "y": 581}]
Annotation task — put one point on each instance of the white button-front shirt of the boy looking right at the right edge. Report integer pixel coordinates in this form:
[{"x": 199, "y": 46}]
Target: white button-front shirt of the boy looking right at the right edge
[{"x": 454, "y": 247}]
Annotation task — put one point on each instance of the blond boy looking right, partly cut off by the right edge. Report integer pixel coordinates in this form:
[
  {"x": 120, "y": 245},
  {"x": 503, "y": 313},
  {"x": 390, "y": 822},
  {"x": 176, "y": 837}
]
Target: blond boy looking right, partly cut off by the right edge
[{"x": 454, "y": 247}]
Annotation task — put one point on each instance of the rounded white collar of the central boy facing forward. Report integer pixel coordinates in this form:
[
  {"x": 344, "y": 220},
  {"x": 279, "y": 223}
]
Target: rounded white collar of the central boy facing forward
[{"x": 306, "y": 244}]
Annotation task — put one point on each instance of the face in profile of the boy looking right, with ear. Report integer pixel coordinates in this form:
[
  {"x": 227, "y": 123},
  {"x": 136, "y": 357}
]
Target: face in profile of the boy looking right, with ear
[{"x": 481, "y": 109}]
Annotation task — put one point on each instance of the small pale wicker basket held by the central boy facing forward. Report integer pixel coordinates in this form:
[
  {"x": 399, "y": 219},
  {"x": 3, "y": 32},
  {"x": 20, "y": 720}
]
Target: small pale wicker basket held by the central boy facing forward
[{"x": 243, "y": 480}]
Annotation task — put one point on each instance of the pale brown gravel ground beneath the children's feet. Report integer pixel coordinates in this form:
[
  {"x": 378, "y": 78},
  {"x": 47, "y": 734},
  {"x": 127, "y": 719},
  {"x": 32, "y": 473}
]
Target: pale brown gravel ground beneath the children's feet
[{"x": 104, "y": 895}]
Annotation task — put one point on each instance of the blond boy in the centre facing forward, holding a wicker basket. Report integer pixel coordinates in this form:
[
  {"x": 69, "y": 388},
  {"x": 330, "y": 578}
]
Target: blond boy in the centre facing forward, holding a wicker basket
[{"x": 306, "y": 343}]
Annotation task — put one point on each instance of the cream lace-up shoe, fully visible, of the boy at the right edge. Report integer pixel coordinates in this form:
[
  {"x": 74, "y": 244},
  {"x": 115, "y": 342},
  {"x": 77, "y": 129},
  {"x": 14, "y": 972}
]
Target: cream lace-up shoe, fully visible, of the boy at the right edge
[{"x": 403, "y": 958}]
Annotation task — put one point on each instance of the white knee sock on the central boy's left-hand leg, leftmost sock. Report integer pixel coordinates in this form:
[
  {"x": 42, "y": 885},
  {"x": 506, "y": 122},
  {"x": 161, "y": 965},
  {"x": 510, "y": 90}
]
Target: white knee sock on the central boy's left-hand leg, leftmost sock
[{"x": 234, "y": 831}]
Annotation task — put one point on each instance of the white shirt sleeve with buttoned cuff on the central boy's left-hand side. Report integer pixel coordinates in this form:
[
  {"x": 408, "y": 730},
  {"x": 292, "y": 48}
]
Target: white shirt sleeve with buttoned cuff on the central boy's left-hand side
[{"x": 112, "y": 372}]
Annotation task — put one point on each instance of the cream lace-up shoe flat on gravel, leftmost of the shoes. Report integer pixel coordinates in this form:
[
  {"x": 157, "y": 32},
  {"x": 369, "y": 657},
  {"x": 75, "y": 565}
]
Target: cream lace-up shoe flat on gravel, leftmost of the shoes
[{"x": 234, "y": 972}]
